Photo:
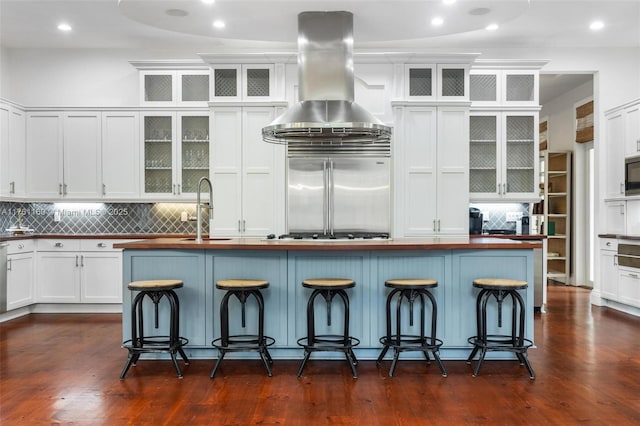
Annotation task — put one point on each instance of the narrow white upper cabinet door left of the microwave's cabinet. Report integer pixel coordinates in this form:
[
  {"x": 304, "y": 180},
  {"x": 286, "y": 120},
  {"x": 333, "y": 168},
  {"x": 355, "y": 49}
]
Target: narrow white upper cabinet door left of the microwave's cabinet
[{"x": 614, "y": 156}]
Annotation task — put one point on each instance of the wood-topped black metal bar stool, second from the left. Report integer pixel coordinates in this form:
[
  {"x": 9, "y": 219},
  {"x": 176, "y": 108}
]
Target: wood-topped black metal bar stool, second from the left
[{"x": 242, "y": 289}]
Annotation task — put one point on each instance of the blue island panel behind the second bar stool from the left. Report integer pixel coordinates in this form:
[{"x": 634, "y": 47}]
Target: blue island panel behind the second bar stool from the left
[{"x": 263, "y": 265}]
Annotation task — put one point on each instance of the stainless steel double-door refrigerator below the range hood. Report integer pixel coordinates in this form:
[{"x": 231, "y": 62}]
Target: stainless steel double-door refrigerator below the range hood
[{"x": 331, "y": 194}]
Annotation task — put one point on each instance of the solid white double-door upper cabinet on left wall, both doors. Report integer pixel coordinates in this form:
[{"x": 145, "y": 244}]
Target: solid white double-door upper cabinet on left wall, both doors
[{"x": 63, "y": 154}]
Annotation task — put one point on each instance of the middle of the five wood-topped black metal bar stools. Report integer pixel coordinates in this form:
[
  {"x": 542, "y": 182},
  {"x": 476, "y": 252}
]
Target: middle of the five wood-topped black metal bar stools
[{"x": 328, "y": 288}]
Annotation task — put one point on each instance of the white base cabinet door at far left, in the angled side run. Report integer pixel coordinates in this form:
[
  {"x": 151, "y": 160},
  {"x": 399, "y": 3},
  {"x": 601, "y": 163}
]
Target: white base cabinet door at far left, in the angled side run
[{"x": 19, "y": 280}]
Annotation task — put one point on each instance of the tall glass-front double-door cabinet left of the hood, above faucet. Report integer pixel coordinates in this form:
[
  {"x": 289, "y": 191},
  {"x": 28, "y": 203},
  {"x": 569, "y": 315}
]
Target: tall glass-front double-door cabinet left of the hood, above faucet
[{"x": 175, "y": 152}]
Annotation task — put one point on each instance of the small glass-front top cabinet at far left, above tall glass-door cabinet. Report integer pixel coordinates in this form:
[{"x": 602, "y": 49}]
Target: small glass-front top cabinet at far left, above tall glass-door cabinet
[{"x": 180, "y": 88}]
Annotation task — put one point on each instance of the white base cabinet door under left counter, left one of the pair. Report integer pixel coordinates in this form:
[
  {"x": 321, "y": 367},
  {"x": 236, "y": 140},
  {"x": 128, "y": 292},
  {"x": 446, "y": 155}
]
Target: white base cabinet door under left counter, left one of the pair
[{"x": 58, "y": 278}]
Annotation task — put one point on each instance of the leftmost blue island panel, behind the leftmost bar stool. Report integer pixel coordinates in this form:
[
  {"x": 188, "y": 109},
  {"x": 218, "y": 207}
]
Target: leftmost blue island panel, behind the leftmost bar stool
[{"x": 185, "y": 265}]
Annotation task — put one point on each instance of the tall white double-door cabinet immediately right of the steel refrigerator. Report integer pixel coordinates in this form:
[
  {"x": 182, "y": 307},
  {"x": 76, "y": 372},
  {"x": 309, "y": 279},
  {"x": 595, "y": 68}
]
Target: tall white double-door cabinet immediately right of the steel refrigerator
[{"x": 431, "y": 164}]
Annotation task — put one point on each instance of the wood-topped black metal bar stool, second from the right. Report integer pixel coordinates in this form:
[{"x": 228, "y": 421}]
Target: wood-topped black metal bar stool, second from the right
[{"x": 411, "y": 290}]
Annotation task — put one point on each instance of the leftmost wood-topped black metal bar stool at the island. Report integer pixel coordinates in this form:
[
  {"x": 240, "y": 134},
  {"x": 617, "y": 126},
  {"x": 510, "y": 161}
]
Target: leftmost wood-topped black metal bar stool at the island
[{"x": 139, "y": 343}]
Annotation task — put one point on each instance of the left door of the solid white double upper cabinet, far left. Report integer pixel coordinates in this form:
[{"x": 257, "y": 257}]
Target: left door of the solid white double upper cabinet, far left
[{"x": 44, "y": 155}]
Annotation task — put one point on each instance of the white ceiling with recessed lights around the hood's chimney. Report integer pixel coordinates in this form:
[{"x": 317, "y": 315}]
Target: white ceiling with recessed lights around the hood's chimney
[{"x": 272, "y": 25}]
